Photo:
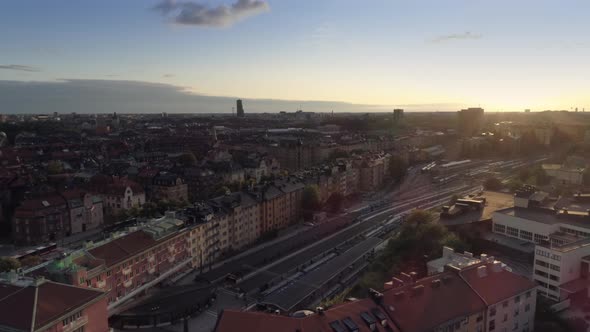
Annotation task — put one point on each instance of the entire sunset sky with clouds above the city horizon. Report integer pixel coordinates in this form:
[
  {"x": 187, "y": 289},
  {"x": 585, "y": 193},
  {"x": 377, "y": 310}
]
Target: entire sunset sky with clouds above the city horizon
[{"x": 436, "y": 55}]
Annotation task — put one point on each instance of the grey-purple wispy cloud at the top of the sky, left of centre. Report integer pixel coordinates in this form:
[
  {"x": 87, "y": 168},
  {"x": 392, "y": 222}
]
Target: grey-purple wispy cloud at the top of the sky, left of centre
[{"x": 199, "y": 14}]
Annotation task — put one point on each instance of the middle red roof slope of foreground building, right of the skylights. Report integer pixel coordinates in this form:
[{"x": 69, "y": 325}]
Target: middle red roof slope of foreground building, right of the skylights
[{"x": 452, "y": 298}]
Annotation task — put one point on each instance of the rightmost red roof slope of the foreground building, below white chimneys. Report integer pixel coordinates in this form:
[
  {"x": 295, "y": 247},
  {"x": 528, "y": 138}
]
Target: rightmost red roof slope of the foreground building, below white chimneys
[{"x": 495, "y": 287}]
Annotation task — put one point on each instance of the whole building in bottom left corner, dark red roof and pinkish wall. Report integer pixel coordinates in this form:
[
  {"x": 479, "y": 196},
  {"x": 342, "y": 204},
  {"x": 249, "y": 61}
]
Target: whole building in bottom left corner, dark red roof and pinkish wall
[{"x": 40, "y": 305}]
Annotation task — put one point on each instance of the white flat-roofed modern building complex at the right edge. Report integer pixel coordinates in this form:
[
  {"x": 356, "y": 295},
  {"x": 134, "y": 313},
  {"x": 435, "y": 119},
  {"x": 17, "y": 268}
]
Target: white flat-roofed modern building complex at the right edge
[{"x": 561, "y": 232}]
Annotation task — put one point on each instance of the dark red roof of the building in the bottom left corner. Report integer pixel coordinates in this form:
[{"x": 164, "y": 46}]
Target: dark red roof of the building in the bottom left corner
[{"x": 54, "y": 300}]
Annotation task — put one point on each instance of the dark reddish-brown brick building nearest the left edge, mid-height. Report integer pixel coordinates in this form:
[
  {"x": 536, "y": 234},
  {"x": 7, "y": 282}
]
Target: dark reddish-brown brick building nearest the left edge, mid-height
[{"x": 41, "y": 220}]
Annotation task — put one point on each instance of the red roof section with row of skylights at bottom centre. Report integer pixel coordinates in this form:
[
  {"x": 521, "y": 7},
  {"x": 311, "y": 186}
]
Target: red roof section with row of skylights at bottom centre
[{"x": 233, "y": 320}]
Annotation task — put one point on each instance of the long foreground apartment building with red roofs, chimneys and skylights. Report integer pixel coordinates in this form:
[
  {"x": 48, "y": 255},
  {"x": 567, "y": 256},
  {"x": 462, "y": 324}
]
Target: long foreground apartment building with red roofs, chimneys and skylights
[{"x": 483, "y": 297}]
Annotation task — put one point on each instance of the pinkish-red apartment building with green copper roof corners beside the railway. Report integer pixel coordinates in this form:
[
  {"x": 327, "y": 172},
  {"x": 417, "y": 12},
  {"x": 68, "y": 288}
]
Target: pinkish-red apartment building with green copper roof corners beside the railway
[{"x": 124, "y": 266}]
